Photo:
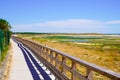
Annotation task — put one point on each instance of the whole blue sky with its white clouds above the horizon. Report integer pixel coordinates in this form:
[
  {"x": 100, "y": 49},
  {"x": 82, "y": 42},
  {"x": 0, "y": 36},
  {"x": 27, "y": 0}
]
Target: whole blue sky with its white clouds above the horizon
[{"x": 71, "y": 16}]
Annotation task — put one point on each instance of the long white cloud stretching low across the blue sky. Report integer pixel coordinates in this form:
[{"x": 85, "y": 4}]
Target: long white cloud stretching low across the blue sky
[{"x": 65, "y": 23}]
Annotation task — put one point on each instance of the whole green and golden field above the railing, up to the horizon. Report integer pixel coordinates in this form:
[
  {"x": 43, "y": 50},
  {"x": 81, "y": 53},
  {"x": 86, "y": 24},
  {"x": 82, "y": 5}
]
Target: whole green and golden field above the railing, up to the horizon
[{"x": 102, "y": 50}]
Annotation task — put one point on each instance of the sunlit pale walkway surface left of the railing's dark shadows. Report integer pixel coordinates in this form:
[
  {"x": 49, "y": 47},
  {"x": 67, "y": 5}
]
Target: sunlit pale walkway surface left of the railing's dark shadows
[{"x": 19, "y": 69}]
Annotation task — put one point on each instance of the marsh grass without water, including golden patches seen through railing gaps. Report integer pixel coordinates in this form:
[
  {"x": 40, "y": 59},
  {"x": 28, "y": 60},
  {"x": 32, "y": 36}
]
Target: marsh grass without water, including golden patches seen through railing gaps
[{"x": 105, "y": 52}]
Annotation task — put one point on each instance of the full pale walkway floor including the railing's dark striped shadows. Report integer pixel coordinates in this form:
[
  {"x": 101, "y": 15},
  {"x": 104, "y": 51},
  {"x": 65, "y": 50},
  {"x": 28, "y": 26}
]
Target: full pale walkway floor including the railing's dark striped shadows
[{"x": 25, "y": 66}]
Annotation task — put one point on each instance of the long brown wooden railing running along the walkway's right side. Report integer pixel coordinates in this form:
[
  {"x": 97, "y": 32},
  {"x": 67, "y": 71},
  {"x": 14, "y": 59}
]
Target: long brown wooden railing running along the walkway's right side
[{"x": 67, "y": 67}]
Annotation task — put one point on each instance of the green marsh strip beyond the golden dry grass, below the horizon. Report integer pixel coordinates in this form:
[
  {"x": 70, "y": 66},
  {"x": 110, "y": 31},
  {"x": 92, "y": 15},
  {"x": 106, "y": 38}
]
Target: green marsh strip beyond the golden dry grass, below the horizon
[{"x": 97, "y": 43}]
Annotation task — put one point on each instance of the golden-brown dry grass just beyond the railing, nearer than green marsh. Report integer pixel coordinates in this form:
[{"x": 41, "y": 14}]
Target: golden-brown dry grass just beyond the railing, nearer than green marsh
[{"x": 106, "y": 59}]
